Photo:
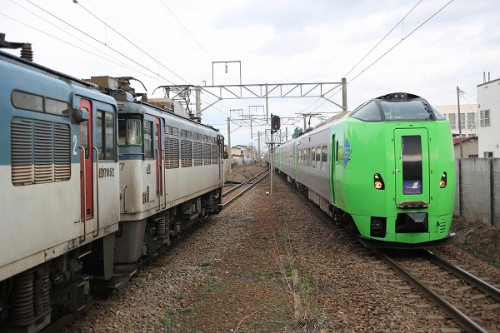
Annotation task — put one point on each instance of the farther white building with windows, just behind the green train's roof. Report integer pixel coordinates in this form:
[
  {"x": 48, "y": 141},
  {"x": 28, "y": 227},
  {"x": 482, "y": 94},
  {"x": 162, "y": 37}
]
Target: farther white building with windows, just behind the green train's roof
[{"x": 468, "y": 118}]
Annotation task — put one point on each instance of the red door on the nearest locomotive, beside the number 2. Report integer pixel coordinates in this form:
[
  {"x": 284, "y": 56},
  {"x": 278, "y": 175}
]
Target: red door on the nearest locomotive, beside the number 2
[{"x": 86, "y": 163}]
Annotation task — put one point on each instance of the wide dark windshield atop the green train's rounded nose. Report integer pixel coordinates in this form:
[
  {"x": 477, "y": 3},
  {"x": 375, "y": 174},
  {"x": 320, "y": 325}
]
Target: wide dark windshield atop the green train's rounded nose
[{"x": 381, "y": 110}]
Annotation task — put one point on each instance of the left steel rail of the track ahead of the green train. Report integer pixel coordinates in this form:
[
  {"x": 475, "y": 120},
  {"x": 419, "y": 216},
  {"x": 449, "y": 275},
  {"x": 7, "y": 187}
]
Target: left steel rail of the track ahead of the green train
[{"x": 460, "y": 318}]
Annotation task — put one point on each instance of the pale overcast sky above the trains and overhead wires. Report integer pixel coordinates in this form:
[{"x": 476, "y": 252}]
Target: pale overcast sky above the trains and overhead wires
[{"x": 426, "y": 47}]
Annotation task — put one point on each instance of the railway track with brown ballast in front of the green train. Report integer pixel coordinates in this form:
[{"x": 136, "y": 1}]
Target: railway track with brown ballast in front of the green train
[{"x": 470, "y": 301}]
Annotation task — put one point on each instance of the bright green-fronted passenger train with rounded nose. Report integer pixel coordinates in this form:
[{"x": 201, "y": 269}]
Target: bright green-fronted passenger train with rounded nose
[{"x": 386, "y": 170}]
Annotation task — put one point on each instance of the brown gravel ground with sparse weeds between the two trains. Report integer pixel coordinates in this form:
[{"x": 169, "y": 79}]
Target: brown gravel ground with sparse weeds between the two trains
[{"x": 266, "y": 263}]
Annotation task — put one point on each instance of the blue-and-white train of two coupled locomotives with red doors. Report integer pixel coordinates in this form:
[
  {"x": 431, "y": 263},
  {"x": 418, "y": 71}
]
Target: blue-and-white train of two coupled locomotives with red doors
[{"x": 91, "y": 184}]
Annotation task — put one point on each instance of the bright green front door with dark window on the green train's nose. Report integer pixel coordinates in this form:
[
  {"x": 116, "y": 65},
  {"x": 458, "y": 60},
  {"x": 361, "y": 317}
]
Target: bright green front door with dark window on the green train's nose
[{"x": 412, "y": 165}]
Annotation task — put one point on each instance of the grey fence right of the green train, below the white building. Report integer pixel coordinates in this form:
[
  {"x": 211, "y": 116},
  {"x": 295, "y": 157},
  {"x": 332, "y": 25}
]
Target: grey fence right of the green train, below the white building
[{"x": 478, "y": 189}]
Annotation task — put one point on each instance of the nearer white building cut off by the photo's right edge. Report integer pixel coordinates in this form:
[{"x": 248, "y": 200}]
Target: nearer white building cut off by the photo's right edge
[{"x": 488, "y": 131}]
